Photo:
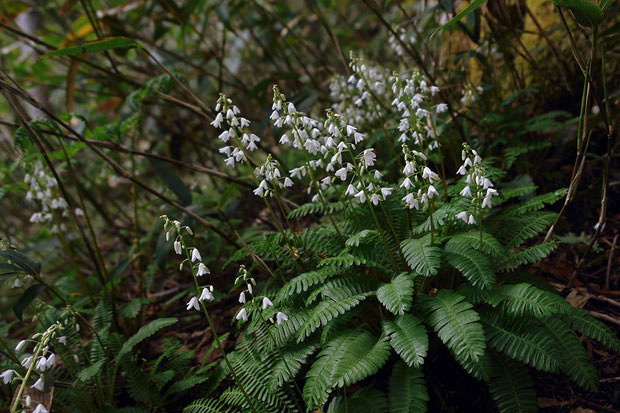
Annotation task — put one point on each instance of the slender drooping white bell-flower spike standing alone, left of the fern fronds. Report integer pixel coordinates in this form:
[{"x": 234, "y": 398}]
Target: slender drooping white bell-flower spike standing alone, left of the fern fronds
[{"x": 193, "y": 258}]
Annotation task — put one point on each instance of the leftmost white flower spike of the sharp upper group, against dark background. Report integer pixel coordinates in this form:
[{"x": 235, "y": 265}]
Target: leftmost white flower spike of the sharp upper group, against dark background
[{"x": 232, "y": 126}]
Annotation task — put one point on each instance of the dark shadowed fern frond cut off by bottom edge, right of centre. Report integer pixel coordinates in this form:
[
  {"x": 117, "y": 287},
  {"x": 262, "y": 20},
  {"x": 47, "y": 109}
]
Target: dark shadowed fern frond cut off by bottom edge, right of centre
[{"x": 511, "y": 386}]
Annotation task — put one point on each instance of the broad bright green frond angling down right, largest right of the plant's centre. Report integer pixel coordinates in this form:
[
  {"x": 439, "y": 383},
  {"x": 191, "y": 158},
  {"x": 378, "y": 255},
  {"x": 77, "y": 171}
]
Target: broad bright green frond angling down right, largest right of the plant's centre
[{"x": 457, "y": 325}]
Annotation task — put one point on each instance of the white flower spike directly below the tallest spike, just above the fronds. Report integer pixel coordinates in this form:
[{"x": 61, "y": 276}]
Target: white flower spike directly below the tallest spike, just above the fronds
[{"x": 416, "y": 172}]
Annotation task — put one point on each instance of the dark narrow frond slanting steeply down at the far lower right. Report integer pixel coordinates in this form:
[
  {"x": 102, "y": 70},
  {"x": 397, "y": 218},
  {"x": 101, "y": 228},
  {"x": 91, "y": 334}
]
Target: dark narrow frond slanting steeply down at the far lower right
[{"x": 574, "y": 360}]
